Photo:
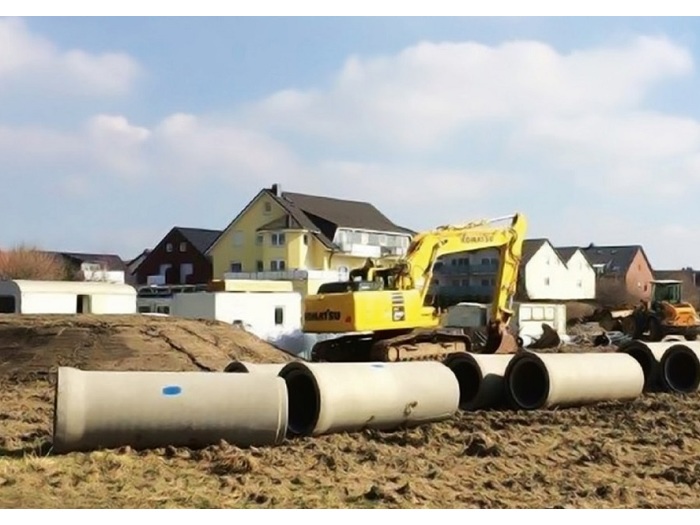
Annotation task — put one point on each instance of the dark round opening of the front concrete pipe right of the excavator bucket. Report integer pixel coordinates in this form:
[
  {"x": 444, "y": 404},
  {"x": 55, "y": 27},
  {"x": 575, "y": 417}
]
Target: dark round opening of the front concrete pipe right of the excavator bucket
[{"x": 528, "y": 382}]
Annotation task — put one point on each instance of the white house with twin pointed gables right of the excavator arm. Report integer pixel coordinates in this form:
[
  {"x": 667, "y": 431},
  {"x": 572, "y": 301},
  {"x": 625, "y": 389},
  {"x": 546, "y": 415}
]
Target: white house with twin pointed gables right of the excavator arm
[{"x": 560, "y": 274}]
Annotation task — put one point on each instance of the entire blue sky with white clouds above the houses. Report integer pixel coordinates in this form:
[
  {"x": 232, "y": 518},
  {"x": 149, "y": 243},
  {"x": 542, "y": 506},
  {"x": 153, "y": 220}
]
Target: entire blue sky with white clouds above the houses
[{"x": 113, "y": 130}]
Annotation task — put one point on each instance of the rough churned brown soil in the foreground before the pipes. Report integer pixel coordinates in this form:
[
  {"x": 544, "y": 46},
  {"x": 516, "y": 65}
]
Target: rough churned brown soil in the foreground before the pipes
[{"x": 635, "y": 454}]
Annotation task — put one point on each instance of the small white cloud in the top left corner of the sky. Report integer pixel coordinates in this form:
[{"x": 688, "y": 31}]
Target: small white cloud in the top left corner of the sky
[{"x": 30, "y": 61}]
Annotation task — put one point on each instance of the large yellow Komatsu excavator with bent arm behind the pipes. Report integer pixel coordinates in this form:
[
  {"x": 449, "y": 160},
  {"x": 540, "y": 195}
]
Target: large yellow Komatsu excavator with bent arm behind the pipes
[{"x": 387, "y": 311}]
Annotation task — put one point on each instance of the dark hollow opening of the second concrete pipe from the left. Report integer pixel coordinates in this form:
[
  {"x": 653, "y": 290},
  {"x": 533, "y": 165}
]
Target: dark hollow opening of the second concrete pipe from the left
[{"x": 304, "y": 398}]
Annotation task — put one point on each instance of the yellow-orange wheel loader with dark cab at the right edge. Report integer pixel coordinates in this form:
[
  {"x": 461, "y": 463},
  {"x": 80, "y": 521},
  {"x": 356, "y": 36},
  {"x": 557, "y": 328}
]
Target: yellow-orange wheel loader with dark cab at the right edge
[{"x": 664, "y": 314}]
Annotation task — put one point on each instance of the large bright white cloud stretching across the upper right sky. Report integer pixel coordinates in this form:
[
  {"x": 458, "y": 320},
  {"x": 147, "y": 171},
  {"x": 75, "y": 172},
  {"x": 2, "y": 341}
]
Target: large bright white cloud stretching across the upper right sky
[{"x": 428, "y": 91}]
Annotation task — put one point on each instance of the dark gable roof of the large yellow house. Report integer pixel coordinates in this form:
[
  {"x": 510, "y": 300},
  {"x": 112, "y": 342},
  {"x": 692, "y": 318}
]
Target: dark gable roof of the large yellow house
[{"x": 321, "y": 216}]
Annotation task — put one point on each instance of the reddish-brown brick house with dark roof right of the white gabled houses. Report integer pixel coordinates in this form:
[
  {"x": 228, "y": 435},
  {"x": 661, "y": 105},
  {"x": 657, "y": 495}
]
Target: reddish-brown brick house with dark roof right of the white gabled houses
[{"x": 623, "y": 273}]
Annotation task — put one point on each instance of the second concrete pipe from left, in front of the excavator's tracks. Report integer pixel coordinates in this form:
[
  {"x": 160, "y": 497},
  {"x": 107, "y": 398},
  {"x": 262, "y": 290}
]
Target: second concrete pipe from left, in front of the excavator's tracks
[{"x": 339, "y": 397}]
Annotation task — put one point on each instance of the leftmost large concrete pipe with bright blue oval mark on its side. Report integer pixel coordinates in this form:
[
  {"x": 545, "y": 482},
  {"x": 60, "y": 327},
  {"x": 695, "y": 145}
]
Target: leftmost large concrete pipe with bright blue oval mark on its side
[{"x": 155, "y": 409}]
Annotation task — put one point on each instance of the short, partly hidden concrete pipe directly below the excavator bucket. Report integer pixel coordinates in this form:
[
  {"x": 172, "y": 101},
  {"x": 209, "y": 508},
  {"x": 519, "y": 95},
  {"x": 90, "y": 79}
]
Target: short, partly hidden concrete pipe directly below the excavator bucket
[{"x": 480, "y": 378}]
